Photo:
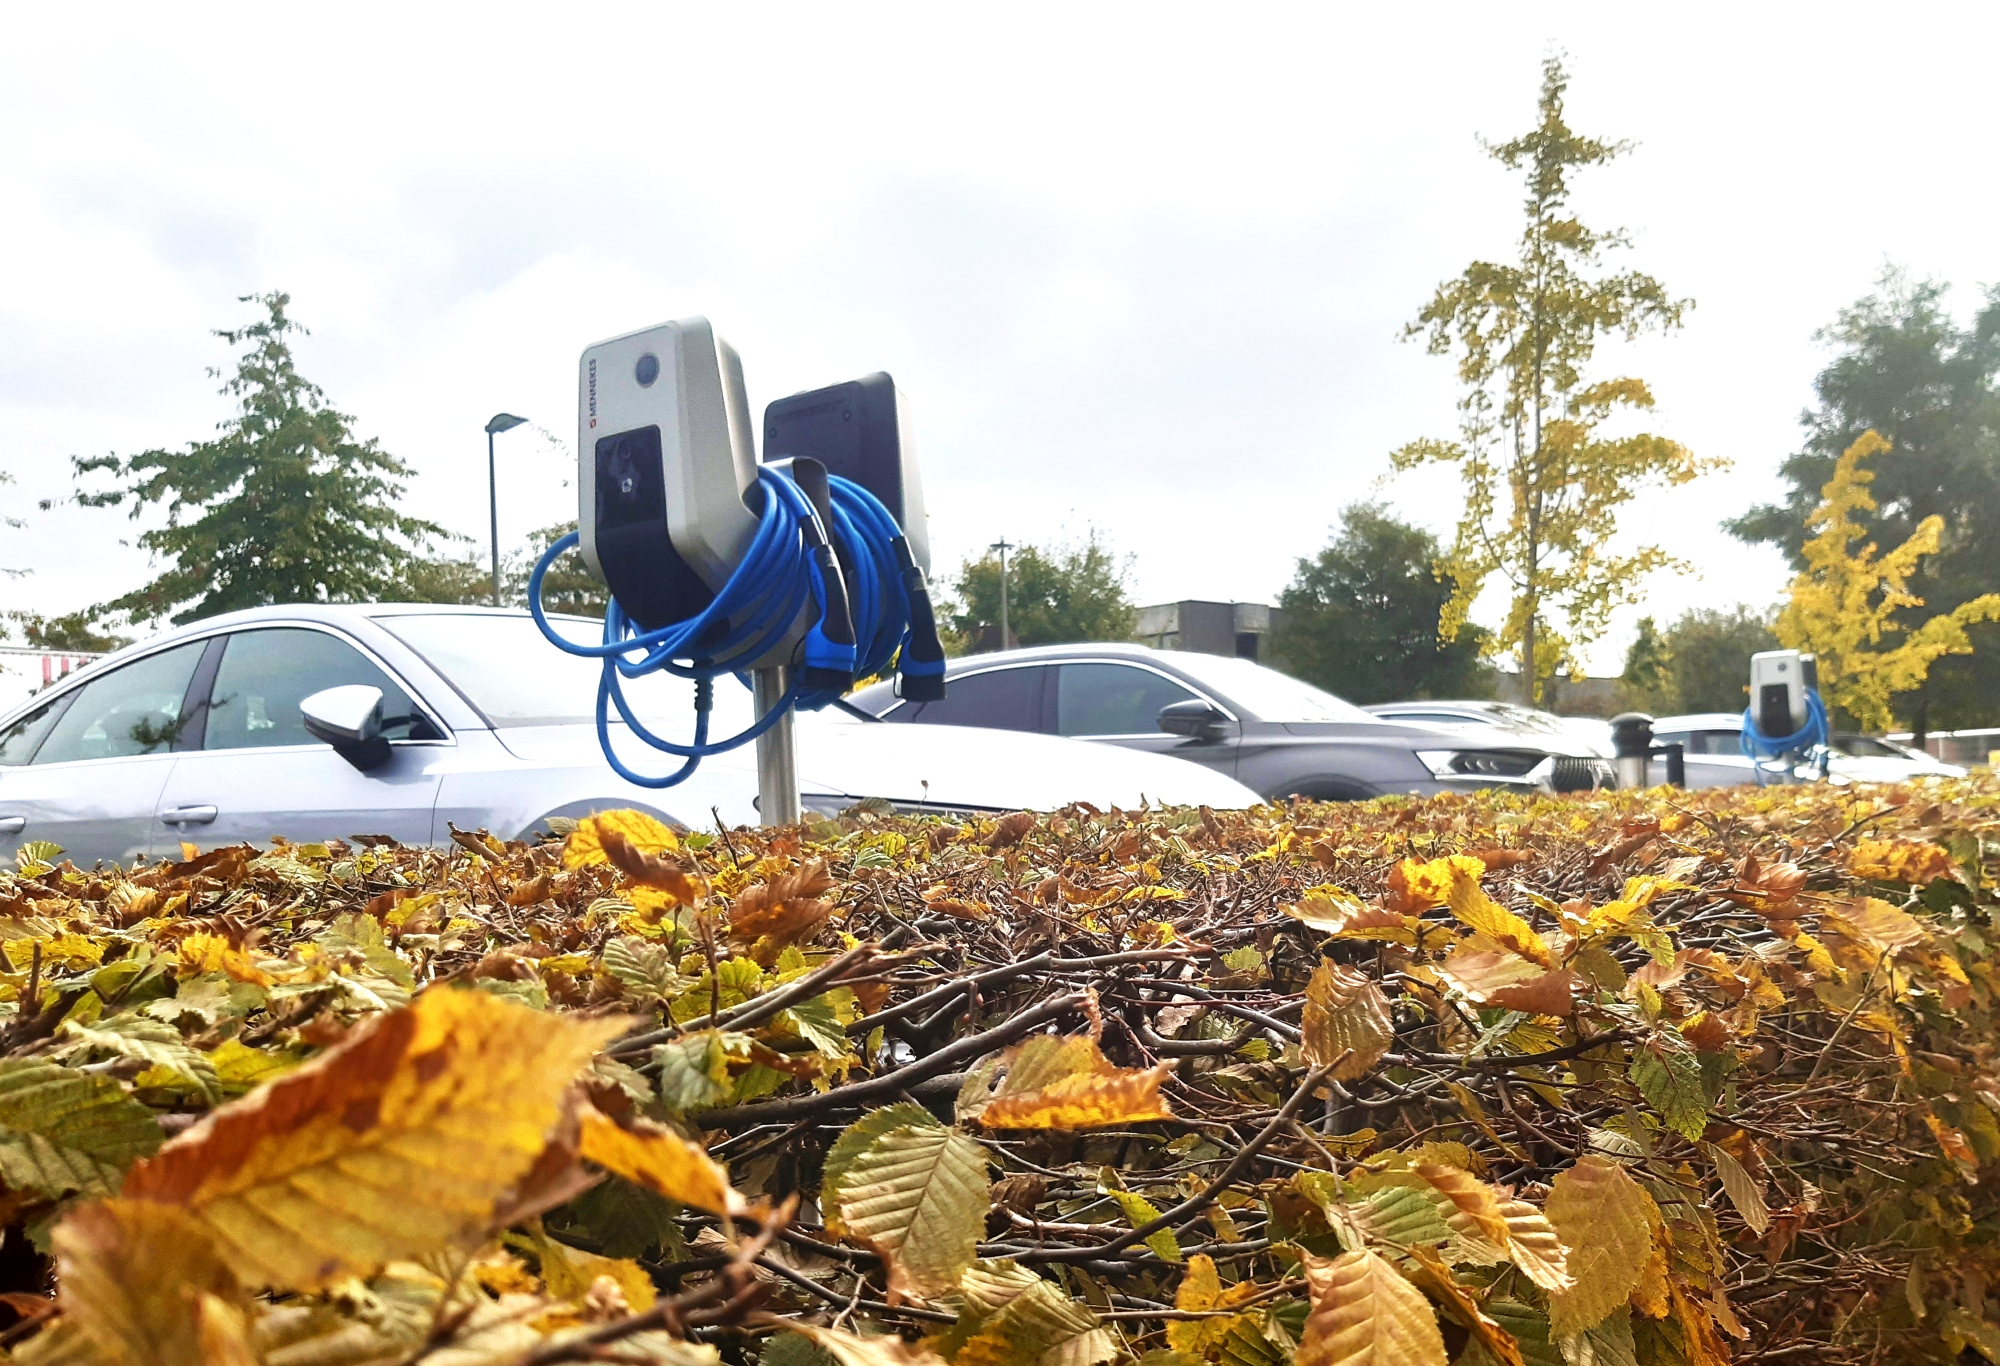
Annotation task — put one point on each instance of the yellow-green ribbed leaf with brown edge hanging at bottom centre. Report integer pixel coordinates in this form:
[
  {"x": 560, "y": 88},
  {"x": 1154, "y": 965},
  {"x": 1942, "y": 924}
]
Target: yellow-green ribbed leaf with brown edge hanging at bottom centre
[{"x": 919, "y": 1197}]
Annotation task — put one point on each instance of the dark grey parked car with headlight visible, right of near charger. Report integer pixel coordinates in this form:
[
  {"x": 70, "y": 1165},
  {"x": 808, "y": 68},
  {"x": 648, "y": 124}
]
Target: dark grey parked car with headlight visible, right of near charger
[{"x": 1265, "y": 729}]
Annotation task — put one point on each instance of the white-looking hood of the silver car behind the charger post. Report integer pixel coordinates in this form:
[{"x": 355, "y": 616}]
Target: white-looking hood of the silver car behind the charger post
[{"x": 943, "y": 767}]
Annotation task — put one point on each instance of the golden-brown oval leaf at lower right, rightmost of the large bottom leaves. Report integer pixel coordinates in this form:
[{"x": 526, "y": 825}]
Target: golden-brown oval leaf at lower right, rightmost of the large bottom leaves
[{"x": 1605, "y": 1221}]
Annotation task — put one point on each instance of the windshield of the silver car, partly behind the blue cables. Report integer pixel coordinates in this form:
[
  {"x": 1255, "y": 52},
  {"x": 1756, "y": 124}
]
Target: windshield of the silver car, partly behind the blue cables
[{"x": 517, "y": 679}]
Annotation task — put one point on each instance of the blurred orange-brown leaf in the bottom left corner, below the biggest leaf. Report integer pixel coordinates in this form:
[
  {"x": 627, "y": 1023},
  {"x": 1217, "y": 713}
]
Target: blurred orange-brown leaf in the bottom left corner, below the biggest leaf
[{"x": 135, "y": 1281}]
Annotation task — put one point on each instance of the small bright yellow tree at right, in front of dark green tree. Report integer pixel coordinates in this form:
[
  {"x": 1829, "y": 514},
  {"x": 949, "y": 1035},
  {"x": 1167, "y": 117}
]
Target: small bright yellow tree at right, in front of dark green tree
[{"x": 1851, "y": 607}]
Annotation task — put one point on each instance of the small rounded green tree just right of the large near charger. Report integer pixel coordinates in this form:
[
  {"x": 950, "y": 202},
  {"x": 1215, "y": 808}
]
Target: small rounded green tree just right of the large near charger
[{"x": 1057, "y": 595}]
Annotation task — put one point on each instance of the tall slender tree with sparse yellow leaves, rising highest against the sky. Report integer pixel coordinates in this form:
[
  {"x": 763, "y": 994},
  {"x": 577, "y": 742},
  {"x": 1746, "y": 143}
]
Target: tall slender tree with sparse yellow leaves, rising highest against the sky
[{"x": 1543, "y": 485}]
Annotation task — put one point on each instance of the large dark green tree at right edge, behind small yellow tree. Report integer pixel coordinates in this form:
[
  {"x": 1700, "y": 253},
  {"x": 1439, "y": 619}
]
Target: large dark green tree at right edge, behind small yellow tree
[{"x": 1905, "y": 369}]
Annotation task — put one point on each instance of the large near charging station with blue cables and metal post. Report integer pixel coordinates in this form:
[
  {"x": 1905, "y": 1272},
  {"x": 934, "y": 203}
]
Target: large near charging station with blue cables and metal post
[{"x": 799, "y": 573}]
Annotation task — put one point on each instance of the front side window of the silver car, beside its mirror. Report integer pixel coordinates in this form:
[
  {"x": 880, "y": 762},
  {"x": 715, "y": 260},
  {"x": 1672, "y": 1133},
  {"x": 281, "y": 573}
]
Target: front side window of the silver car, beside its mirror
[{"x": 265, "y": 675}]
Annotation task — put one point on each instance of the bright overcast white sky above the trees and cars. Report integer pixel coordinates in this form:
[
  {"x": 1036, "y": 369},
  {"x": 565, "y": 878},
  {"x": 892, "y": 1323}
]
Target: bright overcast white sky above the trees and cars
[{"x": 1135, "y": 267}]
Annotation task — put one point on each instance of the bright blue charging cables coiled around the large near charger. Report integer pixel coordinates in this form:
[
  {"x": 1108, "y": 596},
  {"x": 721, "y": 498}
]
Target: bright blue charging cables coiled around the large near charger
[{"x": 753, "y": 613}]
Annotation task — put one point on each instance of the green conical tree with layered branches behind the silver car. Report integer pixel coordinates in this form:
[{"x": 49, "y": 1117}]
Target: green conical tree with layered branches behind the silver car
[{"x": 281, "y": 507}]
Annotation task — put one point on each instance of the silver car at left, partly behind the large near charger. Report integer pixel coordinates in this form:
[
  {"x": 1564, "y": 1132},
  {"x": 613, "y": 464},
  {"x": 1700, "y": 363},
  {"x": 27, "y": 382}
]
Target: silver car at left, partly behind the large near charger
[{"x": 199, "y": 735}]
